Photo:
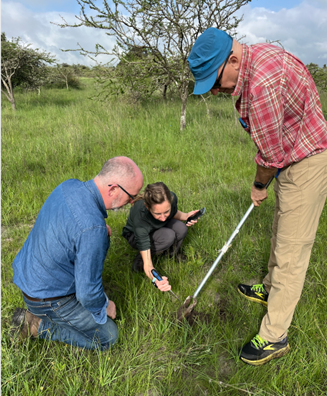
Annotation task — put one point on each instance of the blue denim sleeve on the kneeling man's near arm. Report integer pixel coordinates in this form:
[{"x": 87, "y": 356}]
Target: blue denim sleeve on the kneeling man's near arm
[{"x": 92, "y": 247}]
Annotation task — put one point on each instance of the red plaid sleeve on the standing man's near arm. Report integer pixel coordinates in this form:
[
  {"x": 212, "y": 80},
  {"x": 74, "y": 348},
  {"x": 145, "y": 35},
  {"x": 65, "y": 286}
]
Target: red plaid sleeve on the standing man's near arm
[{"x": 266, "y": 117}]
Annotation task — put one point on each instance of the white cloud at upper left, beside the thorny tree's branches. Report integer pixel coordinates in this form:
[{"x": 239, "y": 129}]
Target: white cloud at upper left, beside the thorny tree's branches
[{"x": 35, "y": 28}]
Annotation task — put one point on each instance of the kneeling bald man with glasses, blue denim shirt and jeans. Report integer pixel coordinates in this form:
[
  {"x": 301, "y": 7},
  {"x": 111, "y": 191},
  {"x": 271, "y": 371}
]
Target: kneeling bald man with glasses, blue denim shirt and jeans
[{"x": 59, "y": 268}]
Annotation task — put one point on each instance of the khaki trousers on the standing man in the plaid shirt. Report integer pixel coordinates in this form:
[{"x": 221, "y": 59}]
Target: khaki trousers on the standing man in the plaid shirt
[{"x": 301, "y": 191}]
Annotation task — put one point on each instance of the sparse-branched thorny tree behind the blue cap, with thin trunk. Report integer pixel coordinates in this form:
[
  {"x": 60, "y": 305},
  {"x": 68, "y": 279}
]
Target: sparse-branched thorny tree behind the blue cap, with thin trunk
[{"x": 163, "y": 30}]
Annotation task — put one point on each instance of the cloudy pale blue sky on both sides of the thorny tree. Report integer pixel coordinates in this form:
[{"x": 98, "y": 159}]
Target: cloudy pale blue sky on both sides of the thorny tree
[{"x": 301, "y": 27}]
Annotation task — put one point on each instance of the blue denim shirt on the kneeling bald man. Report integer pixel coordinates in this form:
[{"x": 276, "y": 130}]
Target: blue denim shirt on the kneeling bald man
[{"x": 65, "y": 251}]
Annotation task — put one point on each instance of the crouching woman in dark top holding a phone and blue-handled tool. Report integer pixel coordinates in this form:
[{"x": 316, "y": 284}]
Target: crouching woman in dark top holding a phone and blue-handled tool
[{"x": 155, "y": 225}]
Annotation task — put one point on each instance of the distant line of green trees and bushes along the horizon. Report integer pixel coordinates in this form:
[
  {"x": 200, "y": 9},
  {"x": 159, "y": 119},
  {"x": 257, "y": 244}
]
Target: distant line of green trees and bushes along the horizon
[{"x": 136, "y": 76}]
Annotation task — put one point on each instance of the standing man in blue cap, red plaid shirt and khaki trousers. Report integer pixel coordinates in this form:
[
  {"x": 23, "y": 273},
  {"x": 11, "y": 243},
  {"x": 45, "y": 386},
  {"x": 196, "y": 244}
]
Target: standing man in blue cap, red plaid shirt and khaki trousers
[{"x": 279, "y": 103}]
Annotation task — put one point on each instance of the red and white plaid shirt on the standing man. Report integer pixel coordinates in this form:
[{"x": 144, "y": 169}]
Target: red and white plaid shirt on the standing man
[{"x": 280, "y": 104}]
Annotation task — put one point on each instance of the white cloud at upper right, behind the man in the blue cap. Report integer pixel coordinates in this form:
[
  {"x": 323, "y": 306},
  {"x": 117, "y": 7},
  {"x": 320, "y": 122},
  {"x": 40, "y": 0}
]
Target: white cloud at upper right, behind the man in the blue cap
[{"x": 302, "y": 30}]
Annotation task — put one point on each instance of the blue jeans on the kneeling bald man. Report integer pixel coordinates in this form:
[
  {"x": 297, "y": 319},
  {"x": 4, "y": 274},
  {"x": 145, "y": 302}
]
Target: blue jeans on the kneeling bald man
[{"x": 66, "y": 320}]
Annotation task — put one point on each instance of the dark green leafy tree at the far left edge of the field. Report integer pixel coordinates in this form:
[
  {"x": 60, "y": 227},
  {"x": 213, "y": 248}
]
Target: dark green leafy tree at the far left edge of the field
[{"x": 21, "y": 66}]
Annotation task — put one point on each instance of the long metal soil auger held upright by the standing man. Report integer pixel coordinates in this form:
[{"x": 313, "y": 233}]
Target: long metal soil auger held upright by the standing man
[{"x": 186, "y": 309}]
